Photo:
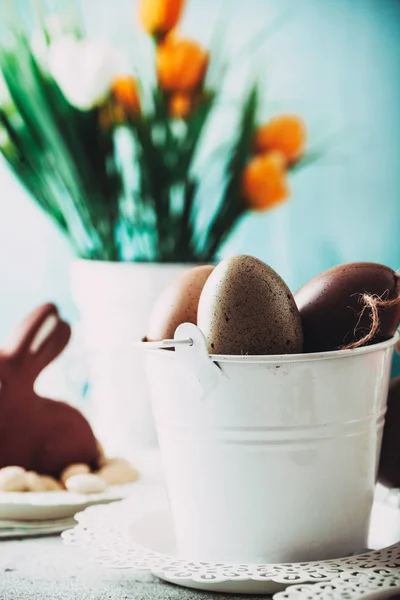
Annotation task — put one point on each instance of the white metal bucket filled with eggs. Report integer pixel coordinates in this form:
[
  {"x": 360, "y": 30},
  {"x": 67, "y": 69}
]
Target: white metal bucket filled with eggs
[{"x": 269, "y": 458}]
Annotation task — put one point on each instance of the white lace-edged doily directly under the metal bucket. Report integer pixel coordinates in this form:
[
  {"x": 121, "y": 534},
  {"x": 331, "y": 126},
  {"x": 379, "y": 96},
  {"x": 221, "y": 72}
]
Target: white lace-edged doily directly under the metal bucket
[{"x": 103, "y": 531}]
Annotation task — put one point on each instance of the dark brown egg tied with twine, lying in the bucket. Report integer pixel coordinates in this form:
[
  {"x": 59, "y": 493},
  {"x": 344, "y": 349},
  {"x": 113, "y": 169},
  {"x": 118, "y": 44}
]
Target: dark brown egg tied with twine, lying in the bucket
[{"x": 331, "y": 306}]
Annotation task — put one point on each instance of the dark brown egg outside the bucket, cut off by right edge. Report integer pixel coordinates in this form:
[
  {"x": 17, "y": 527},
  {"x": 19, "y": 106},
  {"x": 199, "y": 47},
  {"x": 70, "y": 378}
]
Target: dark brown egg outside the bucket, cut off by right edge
[{"x": 389, "y": 466}]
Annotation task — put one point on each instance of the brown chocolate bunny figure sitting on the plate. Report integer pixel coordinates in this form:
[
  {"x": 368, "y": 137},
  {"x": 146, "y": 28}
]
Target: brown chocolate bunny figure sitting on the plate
[{"x": 36, "y": 433}]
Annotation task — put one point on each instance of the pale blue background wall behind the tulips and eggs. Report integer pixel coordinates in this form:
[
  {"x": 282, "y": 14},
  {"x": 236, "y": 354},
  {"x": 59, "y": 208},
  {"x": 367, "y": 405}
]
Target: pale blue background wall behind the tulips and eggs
[{"x": 337, "y": 63}]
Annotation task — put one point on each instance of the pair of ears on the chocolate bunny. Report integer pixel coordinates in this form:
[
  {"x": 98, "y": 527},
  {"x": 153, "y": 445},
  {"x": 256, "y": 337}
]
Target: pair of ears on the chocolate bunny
[{"x": 39, "y": 339}]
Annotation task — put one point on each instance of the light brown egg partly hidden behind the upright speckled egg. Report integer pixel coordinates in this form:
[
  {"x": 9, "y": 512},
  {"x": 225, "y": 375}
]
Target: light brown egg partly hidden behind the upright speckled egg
[{"x": 178, "y": 303}]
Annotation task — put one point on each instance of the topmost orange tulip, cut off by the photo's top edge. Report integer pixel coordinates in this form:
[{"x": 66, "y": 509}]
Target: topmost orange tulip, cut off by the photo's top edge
[{"x": 158, "y": 17}]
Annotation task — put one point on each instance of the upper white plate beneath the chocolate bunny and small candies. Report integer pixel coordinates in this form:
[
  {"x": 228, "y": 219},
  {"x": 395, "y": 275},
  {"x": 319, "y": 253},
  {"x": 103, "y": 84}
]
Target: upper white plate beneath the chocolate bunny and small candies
[{"x": 43, "y": 506}]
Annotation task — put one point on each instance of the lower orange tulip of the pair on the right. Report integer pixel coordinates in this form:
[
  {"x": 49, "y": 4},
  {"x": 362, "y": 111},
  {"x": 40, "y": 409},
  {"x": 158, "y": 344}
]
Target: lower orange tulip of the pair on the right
[{"x": 264, "y": 181}]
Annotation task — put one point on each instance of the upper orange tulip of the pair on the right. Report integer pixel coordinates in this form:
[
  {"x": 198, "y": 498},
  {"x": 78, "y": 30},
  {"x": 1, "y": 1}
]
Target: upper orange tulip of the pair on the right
[{"x": 286, "y": 133}]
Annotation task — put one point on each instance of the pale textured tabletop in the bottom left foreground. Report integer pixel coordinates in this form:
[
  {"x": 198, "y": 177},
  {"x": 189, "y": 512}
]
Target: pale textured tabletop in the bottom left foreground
[{"x": 45, "y": 569}]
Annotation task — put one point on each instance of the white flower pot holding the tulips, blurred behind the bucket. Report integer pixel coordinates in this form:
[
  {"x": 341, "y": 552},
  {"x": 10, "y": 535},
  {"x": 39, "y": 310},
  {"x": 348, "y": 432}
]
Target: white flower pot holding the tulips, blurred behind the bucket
[{"x": 114, "y": 301}]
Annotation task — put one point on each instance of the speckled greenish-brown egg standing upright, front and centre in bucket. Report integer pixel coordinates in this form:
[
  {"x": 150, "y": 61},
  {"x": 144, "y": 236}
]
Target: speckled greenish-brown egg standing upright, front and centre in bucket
[{"x": 246, "y": 308}]
